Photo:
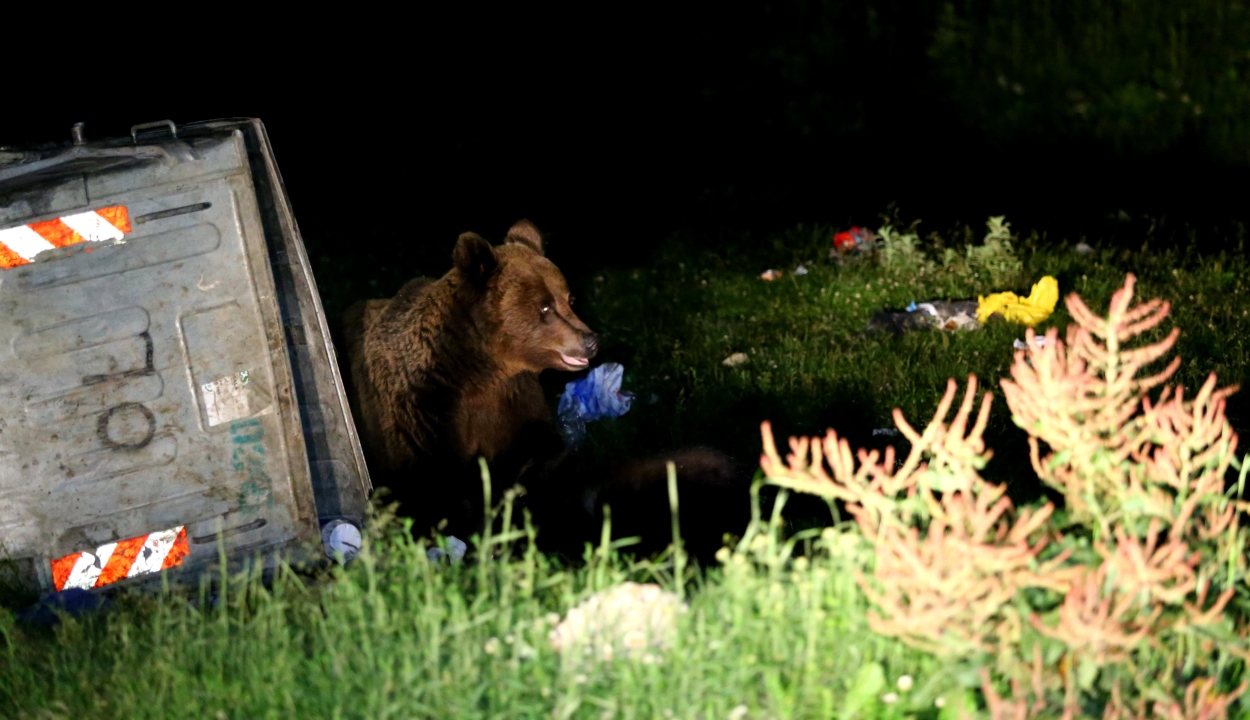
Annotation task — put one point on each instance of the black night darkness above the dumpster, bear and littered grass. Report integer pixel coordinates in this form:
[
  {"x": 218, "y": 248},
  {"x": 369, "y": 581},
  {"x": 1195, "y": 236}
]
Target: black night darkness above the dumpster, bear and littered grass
[{"x": 613, "y": 129}]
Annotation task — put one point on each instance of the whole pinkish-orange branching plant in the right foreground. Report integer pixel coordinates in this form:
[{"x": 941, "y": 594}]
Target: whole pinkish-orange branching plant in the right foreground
[{"x": 1119, "y": 599}]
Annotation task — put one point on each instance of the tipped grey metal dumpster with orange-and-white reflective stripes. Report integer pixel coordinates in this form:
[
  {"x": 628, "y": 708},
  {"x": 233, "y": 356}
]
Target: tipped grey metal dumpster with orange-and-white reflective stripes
[{"x": 168, "y": 387}]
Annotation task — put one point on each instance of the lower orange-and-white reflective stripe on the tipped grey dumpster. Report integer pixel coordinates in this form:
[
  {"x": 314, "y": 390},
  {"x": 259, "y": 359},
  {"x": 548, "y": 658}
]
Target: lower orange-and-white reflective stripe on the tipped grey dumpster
[{"x": 114, "y": 562}]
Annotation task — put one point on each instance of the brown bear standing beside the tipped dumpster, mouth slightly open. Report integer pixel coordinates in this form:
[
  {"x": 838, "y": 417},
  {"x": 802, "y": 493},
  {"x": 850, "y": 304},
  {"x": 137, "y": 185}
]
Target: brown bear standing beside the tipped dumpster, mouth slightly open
[{"x": 448, "y": 371}]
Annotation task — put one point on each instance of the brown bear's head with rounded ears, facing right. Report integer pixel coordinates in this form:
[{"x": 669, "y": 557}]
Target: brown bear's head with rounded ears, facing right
[{"x": 523, "y": 303}]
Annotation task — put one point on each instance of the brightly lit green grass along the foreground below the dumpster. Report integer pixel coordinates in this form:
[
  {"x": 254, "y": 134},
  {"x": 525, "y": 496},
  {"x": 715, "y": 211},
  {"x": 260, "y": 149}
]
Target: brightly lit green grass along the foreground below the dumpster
[{"x": 398, "y": 637}]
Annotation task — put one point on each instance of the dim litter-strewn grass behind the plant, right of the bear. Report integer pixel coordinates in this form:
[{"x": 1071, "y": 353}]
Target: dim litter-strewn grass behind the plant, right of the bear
[{"x": 813, "y": 367}]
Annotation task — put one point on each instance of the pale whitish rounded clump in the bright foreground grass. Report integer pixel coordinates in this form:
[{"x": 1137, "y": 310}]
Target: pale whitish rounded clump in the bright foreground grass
[{"x": 632, "y": 621}]
